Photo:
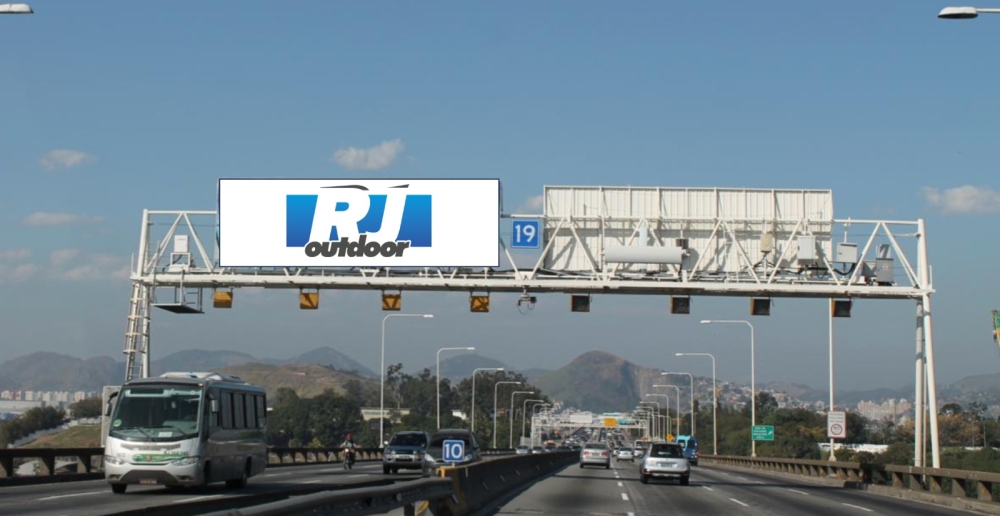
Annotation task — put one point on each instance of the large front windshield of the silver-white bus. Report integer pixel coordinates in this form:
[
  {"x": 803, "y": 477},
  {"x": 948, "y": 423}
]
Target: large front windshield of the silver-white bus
[{"x": 157, "y": 413}]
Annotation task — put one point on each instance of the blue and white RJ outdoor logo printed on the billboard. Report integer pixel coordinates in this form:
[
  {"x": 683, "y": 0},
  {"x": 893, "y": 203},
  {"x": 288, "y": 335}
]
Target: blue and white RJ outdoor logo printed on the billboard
[{"x": 350, "y": 221}]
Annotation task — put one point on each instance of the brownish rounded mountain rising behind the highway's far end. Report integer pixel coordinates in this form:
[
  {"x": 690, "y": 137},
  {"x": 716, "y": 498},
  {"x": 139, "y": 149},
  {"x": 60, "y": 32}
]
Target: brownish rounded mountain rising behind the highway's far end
[{"x": 599, "y": 382}]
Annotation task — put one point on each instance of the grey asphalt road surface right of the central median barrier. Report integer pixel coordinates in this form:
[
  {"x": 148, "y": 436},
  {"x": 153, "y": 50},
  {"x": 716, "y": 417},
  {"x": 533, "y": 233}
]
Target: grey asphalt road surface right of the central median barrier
[{"x": 713, "y": 491}]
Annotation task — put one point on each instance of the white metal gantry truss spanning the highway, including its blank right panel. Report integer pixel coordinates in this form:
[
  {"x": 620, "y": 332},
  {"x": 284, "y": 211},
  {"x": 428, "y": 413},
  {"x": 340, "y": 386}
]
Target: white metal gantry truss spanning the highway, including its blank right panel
[{"x": 730, "y": 242}]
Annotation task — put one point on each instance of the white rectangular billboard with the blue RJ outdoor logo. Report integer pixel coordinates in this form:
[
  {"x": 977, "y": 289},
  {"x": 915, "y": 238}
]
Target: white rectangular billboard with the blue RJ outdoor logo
[{"x": 359, "y": 222}]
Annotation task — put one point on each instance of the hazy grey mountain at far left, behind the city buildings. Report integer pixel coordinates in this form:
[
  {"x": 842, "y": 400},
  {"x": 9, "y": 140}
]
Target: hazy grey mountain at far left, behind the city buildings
[{"x": 46, "y": 371}]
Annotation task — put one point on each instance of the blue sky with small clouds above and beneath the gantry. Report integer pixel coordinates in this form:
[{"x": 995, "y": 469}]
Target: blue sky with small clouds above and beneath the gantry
[{"x": 112, "y": 107}]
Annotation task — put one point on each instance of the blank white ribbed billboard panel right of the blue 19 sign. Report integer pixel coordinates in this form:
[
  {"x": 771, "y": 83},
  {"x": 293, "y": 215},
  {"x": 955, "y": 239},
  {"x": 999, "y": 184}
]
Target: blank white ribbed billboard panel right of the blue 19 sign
[{"x": 684, "y": 221}]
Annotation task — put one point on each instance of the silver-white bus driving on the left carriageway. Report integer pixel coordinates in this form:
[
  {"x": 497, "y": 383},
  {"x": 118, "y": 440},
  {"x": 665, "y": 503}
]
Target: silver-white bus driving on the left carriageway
[{"x": 185, "y": 429}]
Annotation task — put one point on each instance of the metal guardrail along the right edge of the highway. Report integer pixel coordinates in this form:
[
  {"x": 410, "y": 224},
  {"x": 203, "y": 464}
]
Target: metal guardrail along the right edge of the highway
[{"x": 965, "y": 485}]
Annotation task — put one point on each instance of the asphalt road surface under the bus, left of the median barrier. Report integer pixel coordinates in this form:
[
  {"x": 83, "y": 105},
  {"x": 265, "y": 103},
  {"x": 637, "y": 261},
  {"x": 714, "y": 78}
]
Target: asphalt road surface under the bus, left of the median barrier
[{"x": 95, "y": 497}]
